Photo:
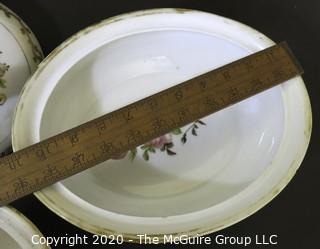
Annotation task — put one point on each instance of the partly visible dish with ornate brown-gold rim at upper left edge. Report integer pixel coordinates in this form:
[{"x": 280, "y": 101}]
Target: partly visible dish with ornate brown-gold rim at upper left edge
[{"x": 19, "y": 55}]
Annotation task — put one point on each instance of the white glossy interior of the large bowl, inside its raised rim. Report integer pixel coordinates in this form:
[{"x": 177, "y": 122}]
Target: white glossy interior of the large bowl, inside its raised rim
[{"x": 234, "y": 147}]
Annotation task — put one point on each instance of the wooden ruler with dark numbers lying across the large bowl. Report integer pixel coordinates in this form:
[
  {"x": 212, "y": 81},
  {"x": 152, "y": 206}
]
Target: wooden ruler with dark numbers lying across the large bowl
[{"x": 89, "y": 144}]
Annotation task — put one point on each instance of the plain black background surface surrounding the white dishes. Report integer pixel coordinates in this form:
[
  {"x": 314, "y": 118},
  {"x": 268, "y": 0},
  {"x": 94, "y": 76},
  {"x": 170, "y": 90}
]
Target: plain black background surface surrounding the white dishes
[{"x": 294, "y": 215}]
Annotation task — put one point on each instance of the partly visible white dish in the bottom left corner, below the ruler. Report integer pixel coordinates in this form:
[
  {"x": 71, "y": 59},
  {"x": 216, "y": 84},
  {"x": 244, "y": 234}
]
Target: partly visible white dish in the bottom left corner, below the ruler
[{"x": 16, "y": 230}]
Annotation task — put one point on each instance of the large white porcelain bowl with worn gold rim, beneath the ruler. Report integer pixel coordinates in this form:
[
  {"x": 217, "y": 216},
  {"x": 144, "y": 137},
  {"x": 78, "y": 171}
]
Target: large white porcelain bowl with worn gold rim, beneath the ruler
[{"x": 243, "y": 157}]
